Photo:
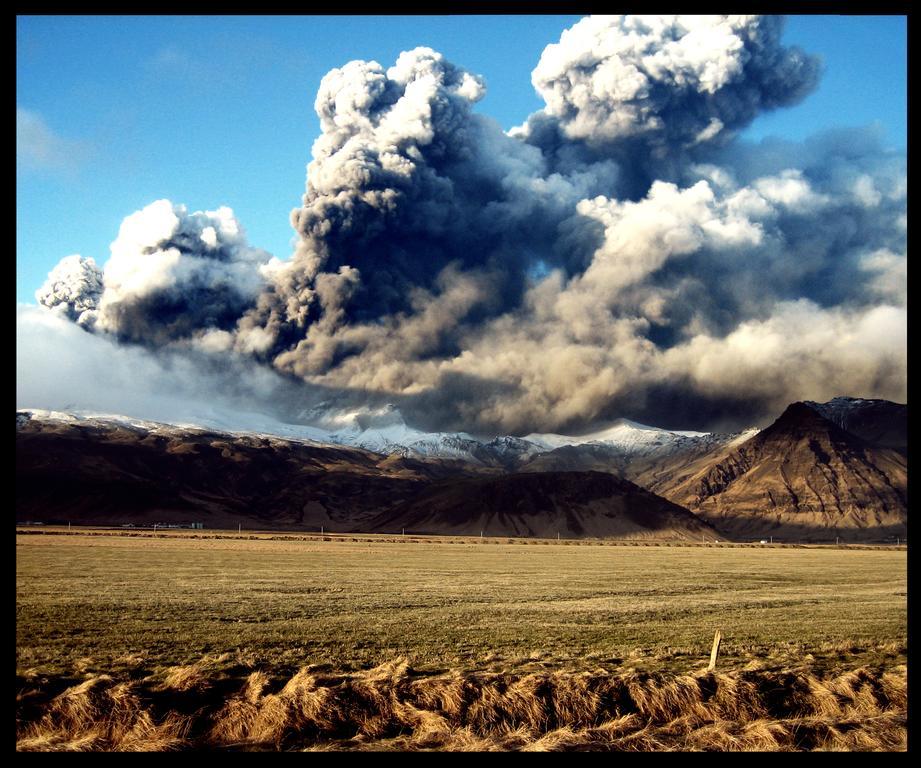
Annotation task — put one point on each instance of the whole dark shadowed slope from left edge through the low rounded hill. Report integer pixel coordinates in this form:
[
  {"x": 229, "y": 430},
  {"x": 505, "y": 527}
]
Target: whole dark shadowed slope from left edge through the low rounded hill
[{"x": 116, "y": 474}]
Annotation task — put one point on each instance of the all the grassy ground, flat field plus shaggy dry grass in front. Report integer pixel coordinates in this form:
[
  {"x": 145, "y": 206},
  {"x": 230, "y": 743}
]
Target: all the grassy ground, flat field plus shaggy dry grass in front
[{"x": 186, "y": 641}]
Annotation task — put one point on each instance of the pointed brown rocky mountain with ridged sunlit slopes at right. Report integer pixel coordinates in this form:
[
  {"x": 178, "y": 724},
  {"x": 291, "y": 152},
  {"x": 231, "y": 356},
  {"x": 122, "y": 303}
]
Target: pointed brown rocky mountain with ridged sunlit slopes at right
[{"x": 802, "y": 478}]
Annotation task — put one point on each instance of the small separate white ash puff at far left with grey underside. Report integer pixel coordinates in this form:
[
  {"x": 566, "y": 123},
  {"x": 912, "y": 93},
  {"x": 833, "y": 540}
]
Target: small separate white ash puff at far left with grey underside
[{"x": 172, "y": 276}]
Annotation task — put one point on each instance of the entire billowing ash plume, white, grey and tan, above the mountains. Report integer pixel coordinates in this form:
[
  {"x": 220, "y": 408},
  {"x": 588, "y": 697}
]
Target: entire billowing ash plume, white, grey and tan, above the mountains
[{"x": 621, "y": 254}]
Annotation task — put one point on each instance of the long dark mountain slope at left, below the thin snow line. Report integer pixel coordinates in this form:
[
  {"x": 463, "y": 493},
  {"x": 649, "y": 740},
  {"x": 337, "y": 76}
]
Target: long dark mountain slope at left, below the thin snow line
[{"x": 117, "y": 475}]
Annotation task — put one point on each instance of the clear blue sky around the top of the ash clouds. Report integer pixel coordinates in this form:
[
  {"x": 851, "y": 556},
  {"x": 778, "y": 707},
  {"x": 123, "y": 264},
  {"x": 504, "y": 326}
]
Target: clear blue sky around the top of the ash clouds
[{"x": 207, "y": 111}]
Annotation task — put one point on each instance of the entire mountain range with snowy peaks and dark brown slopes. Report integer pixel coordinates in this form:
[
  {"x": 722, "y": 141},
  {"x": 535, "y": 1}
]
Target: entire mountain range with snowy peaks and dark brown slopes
[{"x": 820, "y": 470}]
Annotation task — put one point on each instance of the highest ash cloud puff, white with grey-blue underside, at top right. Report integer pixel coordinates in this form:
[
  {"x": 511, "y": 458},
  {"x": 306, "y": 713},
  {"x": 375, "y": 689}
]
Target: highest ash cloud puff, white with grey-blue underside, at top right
[{"x": 654, "y": 91}]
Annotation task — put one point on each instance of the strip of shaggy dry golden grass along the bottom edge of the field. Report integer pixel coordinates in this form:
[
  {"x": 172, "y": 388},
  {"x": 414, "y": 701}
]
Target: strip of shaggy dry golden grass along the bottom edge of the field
[{"x": 391, "y": 707}]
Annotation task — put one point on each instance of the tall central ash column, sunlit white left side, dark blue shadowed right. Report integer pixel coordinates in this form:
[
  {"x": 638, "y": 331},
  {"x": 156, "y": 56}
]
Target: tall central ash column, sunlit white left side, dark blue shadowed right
[{"x": 408, "y": 187}]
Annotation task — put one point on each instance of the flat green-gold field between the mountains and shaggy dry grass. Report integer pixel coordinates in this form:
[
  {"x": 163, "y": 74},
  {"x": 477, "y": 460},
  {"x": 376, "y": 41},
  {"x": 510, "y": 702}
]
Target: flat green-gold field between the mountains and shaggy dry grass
[{"x": 150, "y": 610}]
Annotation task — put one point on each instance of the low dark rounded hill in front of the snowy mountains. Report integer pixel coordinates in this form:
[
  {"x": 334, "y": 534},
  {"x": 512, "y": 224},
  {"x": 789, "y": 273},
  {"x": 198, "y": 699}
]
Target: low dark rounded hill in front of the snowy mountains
[{"x": 572, "y": 504}]
